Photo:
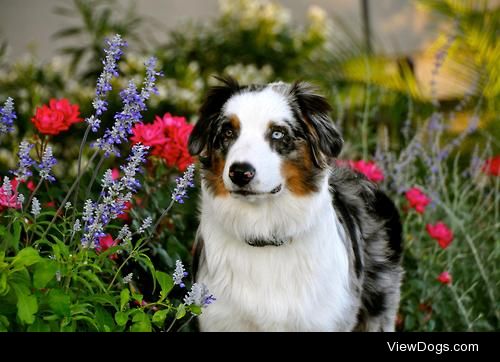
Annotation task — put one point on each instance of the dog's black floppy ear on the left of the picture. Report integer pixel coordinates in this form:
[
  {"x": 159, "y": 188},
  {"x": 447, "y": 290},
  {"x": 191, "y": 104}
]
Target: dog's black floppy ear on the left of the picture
[{"x": 209, "y": 113}]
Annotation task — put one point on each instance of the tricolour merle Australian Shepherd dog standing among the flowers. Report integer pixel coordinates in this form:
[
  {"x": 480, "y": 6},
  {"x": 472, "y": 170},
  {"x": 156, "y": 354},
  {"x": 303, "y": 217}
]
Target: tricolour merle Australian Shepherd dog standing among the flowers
[{"x": 287, "y": 240}]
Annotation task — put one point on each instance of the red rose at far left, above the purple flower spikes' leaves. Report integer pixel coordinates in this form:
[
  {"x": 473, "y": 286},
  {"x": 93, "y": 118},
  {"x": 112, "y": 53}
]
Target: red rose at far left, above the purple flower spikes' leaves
[{"x": 57, "y": 117}]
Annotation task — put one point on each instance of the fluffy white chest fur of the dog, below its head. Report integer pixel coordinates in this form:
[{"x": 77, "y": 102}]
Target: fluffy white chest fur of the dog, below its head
[{"x": 300, "y": 286}]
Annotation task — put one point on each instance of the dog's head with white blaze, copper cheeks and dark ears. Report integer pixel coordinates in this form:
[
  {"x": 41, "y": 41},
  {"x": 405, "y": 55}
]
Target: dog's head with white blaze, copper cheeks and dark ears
[{"x": 256, "y": 142}]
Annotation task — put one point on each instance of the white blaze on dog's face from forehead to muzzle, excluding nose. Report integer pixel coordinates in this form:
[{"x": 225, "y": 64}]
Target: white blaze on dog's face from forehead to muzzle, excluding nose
[{"x": 255, "y": 110}]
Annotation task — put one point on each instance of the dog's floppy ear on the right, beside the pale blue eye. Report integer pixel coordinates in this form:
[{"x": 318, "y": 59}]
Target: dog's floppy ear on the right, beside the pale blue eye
[{"x": 313, "y": 110}]
